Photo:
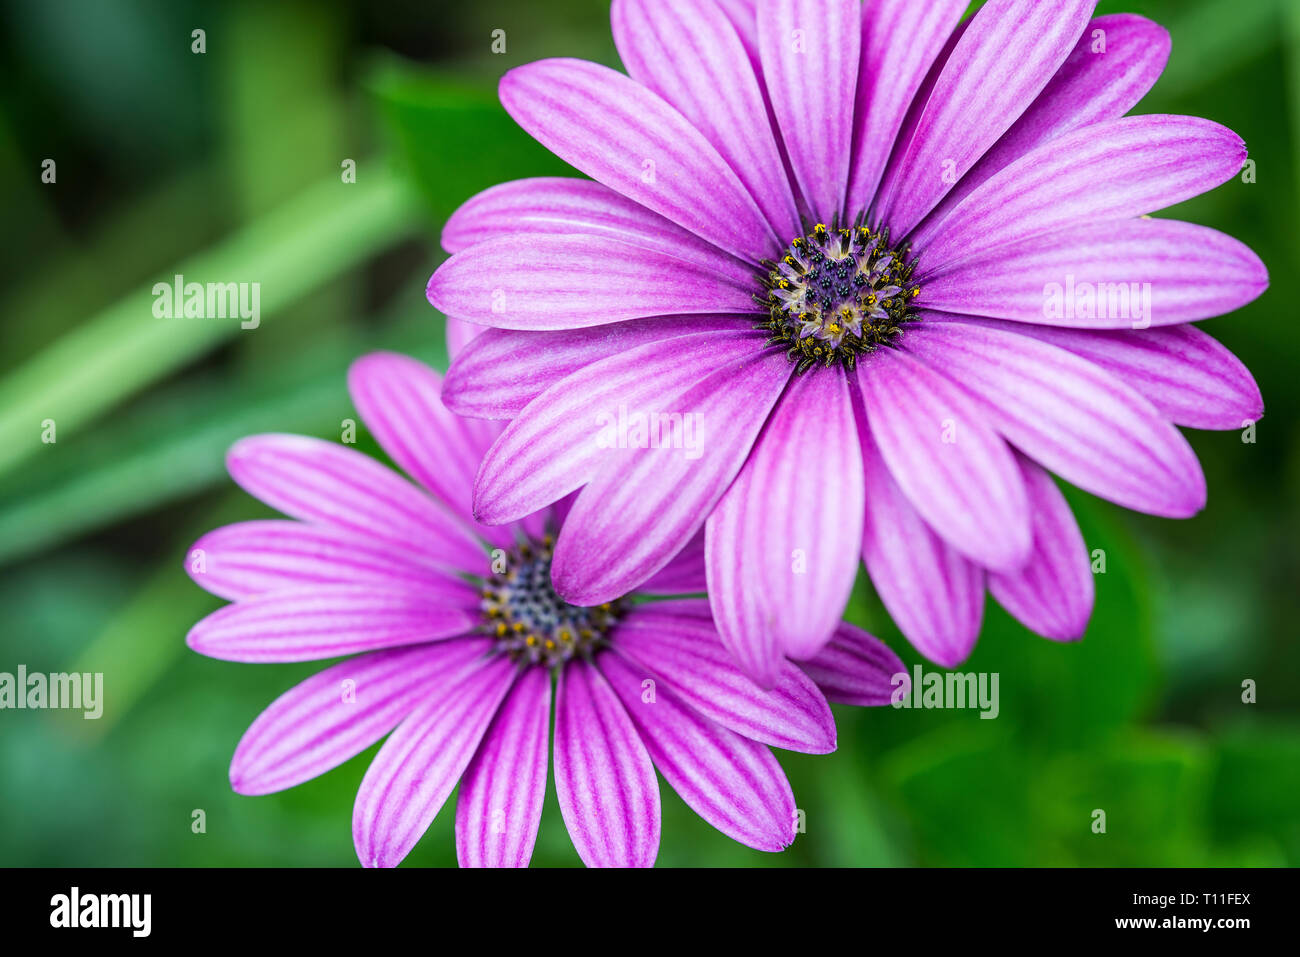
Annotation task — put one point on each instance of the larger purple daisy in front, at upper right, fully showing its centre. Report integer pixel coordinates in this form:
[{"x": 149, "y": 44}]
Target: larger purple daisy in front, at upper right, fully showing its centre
[{"x": 899, "y": 266}]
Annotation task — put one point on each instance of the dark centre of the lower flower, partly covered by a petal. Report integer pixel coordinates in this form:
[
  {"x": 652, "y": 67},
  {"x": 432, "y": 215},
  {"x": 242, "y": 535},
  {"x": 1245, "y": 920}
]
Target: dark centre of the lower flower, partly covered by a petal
[{"x": 534, "y": 625}]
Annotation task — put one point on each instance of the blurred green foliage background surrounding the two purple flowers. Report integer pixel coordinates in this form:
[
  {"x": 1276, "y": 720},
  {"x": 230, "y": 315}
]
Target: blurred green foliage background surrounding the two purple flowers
[{"x": 228, "y": 164}]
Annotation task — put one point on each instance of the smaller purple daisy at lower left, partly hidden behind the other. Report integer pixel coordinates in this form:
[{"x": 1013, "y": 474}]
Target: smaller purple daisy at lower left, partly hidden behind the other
[{"x": 457, "y": 635}]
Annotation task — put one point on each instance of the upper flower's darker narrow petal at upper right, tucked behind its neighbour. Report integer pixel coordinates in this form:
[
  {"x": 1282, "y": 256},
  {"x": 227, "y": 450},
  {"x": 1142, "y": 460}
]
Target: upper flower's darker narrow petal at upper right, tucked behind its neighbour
[{"x": 1093, "y": 85}]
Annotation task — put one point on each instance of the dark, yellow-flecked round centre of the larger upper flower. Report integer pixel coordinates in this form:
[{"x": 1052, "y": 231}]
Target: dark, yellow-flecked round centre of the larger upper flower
[{"x": 838, "y": 295}]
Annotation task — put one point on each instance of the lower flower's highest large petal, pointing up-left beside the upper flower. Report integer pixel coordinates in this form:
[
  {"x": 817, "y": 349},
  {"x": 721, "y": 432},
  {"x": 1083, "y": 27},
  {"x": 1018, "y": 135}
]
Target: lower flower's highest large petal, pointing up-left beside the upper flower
[{"x": 400, "y": 400}]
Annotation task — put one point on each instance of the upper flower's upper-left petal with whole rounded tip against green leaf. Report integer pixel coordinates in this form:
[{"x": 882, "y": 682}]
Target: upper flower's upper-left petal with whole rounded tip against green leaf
[{"x": 623, "y": 136}]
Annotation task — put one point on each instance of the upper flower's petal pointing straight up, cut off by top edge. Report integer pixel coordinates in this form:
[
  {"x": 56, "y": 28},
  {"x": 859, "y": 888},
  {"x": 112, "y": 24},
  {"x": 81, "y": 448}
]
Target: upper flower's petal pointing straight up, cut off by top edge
[{"x": 811, "y": 62}]
